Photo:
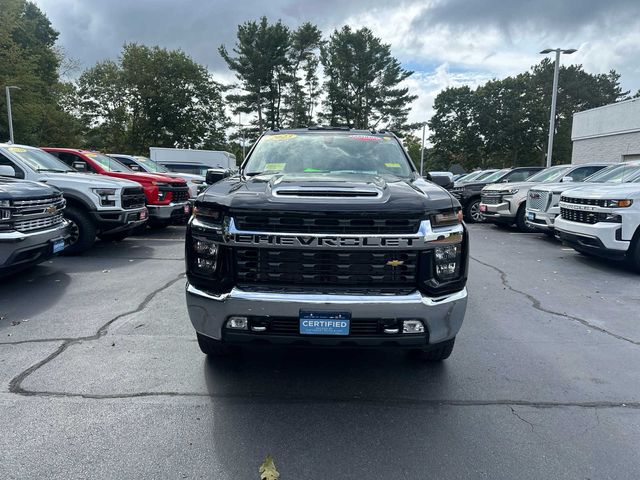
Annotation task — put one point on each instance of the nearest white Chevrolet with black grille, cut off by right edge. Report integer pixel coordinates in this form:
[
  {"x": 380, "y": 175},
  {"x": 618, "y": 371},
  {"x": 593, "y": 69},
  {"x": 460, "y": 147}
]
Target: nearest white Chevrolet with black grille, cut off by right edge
[{"x": 602, "y": 220}]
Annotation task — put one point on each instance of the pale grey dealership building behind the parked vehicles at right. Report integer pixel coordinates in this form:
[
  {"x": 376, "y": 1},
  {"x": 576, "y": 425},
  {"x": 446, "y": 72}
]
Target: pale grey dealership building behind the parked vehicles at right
[{"x": 610, "y": 133}]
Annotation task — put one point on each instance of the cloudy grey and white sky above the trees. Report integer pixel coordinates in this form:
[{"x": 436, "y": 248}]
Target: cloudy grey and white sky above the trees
[{"x": 446, "y": 42}]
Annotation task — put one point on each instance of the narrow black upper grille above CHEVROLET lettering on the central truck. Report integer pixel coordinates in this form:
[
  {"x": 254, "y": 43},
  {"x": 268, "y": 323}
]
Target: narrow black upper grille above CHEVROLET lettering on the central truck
[{"x": 321, "y": 222}]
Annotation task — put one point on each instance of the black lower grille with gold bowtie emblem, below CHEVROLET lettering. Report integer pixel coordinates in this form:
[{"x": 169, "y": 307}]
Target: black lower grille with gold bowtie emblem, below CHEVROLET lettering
[{"x": 315, "y": 269}]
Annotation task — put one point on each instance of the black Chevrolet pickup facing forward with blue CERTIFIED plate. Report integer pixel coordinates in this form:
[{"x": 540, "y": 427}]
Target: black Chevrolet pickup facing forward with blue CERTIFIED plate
[{"x": 327, "y": 237}]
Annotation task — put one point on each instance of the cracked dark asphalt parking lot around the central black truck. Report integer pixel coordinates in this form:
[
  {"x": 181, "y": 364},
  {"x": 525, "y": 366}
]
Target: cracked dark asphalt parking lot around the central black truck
[{"x": 101, "y": 377}]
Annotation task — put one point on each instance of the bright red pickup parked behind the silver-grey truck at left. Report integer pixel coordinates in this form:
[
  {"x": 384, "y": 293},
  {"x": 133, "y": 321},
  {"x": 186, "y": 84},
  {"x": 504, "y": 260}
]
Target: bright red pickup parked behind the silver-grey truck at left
[{"x": 167, "y": 197}]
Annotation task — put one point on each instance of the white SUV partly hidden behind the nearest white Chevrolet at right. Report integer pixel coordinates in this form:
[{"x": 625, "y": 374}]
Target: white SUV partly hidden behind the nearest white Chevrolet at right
[{"x": 543, "y": 202}]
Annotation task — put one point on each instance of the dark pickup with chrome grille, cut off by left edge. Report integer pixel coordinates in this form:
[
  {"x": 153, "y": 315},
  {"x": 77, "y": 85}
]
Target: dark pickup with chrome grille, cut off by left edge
[{"x": 32, "y": 225}]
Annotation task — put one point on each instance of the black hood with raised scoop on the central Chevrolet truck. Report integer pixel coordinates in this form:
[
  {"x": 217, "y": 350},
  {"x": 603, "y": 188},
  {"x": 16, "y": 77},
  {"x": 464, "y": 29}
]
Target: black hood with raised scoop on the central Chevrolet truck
[{"x": 330, "y": 192}]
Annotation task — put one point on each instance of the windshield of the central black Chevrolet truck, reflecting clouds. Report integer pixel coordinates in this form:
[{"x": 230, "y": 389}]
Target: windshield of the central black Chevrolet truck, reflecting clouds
[{"x": 328, "y": 152}]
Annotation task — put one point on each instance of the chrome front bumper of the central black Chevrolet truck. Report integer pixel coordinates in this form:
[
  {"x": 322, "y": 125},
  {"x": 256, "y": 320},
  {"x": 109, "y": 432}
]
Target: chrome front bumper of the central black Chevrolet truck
[{"x": 442, "y": 316}]
